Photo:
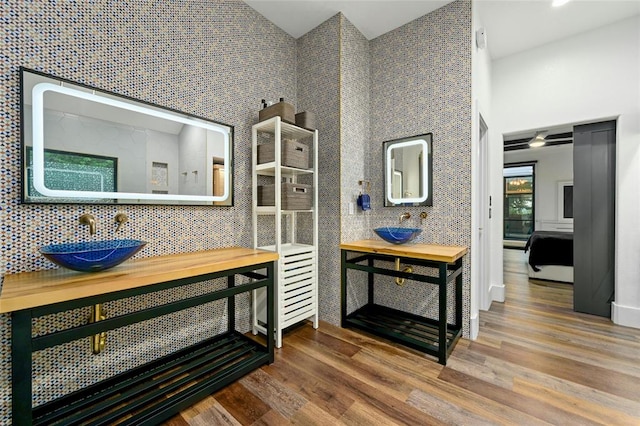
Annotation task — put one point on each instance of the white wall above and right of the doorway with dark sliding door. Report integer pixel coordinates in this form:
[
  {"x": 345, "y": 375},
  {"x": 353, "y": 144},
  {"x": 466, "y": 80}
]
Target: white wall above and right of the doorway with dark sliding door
[{"x": 585, "y": 78}]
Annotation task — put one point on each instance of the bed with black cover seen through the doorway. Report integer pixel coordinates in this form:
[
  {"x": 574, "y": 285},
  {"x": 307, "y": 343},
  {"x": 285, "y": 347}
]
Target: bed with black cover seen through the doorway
[{"x": 550, "y": 255}]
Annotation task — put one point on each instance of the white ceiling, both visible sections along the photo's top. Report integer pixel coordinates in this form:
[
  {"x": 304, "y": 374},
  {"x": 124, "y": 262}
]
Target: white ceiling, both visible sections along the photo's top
[{"x": 511, "y": 25}]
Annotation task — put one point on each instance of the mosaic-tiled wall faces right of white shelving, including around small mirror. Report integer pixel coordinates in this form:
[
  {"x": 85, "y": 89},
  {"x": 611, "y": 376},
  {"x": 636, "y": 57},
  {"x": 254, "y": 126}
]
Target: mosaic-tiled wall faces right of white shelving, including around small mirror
[{"x": 415, "y": 79}]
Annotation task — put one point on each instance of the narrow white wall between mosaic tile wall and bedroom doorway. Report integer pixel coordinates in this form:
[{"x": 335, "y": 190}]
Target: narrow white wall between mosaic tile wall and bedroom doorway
[{"x": 486, "y": 261}]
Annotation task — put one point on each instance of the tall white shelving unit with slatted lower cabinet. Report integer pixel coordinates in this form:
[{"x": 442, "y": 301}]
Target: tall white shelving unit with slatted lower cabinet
[{"x": 296, "y": 279}]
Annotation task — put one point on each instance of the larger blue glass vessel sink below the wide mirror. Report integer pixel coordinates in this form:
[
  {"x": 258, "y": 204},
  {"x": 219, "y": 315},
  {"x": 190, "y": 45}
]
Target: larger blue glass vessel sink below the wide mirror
[{"x": 92, "y": 256}]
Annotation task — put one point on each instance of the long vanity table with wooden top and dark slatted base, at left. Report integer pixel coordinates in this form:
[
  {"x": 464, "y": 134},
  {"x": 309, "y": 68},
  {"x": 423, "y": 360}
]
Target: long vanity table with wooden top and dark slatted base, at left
[{"x": 155, "y": 391}]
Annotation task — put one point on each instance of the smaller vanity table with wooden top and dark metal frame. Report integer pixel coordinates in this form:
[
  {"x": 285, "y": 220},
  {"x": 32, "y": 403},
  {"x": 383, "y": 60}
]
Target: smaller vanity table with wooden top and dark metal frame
[{"x": 434, "y": 337}]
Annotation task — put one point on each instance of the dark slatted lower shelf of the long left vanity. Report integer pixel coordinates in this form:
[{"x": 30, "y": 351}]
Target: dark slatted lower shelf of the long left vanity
[{"x": 176, "y": 381}]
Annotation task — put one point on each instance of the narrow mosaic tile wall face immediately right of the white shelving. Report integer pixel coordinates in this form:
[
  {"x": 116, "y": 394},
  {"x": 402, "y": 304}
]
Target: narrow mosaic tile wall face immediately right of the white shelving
[{"x": 318, "y": 92}]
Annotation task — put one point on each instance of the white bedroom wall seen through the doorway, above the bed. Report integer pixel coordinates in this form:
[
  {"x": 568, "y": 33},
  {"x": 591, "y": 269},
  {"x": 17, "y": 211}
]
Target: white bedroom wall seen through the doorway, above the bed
[{"x": 553, "y": 164}]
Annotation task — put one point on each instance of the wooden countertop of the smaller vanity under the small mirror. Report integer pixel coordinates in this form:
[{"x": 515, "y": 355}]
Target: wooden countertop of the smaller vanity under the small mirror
[{"x": 433, "y": 252}]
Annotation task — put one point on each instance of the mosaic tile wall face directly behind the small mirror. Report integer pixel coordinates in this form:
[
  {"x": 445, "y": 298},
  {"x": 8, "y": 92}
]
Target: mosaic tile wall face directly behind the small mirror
[{"x": 421, "y": 82}]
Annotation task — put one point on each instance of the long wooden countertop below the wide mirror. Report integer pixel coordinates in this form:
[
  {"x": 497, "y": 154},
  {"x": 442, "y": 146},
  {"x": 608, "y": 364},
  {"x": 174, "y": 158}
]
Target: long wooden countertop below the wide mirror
[{"x": 33, "y": 289}]
